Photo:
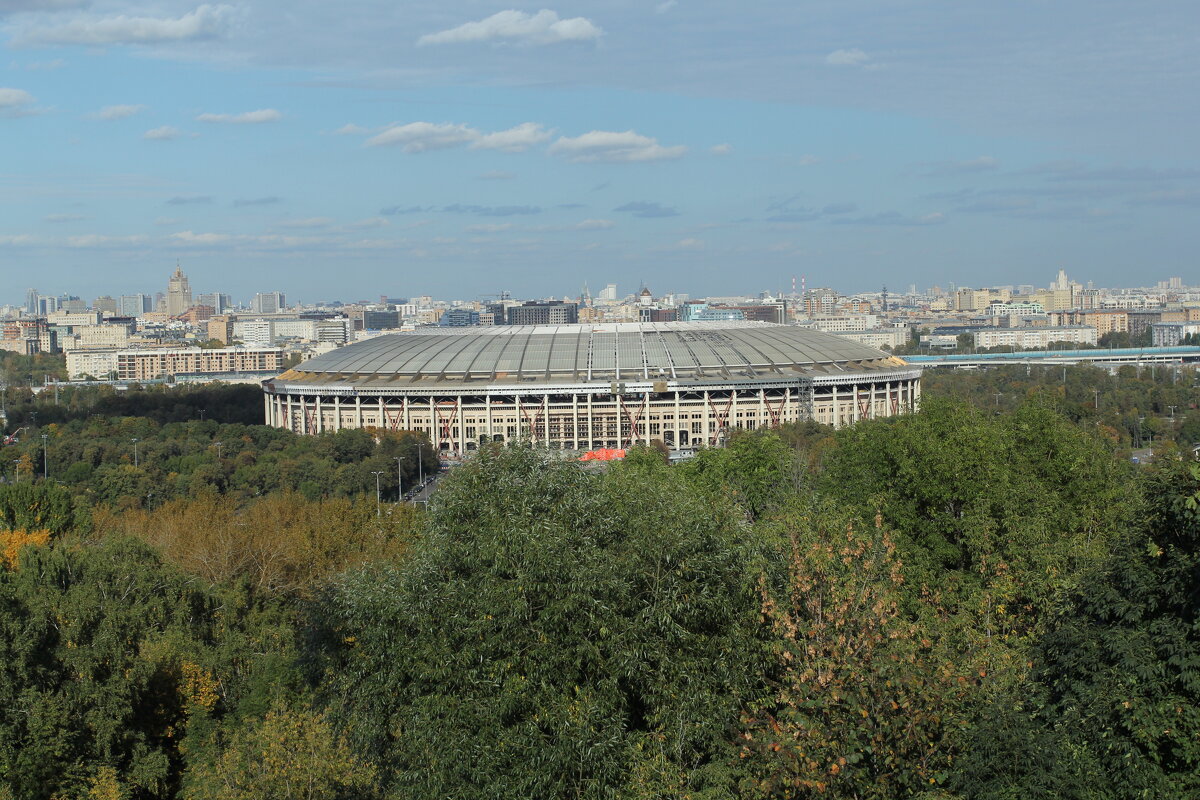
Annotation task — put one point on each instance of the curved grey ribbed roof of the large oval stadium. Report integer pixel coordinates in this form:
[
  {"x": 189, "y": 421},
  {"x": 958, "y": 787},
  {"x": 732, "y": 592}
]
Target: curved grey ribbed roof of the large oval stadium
[{"x": 601, "y": 353}]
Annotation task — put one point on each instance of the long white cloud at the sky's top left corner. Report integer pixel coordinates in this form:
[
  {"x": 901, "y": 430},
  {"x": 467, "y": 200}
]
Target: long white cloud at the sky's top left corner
[{"x": 206, "y": 22}]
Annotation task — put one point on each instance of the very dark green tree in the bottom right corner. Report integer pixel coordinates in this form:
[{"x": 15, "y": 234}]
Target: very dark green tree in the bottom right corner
[{"x": 1115, "y": 701}]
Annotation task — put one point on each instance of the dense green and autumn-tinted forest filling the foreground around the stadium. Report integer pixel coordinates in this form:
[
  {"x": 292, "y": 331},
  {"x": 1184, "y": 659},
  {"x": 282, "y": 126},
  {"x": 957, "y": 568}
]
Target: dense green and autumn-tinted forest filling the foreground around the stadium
[{"x": 983, "y": 600}]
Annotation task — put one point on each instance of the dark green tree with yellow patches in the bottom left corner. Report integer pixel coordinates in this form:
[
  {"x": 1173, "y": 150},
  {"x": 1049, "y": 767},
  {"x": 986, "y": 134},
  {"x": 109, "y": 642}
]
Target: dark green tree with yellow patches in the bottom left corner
[{"x": 113, "y": 669}]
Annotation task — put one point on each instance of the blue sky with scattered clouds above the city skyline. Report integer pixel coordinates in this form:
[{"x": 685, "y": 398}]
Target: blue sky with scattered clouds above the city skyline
[{"x": 345, "y": 151}]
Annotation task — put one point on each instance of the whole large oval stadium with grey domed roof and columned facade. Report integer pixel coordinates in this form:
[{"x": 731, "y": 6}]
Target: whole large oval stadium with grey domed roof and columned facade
[{"x": 587, "y": 387}]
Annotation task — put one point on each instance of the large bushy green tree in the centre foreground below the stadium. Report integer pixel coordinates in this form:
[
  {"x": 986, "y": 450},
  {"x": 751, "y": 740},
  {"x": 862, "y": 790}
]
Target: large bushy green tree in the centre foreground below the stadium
[{"x": 556, "y": 634}]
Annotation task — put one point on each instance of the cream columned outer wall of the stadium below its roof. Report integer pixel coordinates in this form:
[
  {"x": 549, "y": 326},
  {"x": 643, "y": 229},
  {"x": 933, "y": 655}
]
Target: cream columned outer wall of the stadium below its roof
[{"x": 589, "y": 417}]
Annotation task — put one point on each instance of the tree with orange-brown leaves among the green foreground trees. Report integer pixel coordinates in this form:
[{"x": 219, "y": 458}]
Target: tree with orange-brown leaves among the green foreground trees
[{"x": 863, "y": 705}]
